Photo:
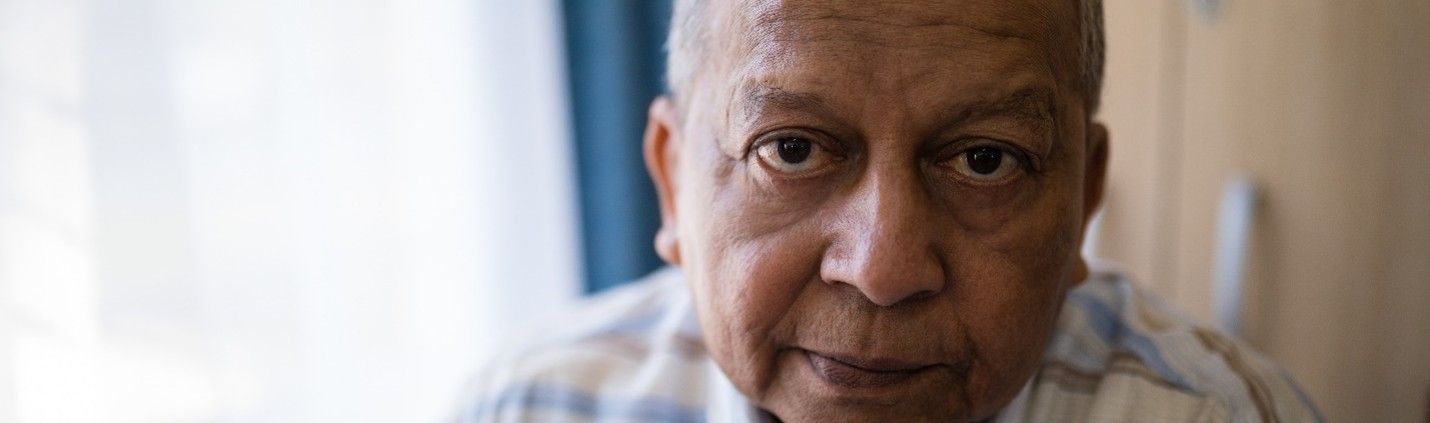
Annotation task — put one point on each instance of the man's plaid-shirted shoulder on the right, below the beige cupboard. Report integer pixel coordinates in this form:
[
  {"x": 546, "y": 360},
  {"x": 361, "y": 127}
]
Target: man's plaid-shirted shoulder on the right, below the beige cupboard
[{"x": 1120, "y": 352}]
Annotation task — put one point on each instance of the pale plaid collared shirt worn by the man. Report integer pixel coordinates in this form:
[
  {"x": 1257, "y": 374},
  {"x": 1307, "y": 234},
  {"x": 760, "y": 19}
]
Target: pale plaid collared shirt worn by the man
[{"x": 1118, "y": 355}]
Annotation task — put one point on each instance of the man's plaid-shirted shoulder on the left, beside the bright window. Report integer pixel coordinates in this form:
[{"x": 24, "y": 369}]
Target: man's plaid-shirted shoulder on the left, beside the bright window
[{"x": 617, "y": 357}]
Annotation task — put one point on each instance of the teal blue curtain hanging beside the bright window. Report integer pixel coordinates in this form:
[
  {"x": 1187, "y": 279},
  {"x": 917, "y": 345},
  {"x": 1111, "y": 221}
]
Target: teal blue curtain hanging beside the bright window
[{"x": 616, "y": 58}]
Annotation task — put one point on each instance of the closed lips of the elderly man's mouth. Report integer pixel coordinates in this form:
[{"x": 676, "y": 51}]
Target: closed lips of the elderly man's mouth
[{"x": 864, "y": 374}]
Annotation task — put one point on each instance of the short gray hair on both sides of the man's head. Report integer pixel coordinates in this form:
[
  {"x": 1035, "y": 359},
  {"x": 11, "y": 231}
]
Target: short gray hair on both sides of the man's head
[{"x": 690, "y": 34}]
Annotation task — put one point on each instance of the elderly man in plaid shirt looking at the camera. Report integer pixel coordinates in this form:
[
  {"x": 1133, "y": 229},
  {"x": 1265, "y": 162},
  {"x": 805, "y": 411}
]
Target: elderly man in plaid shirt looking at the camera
[{"x": 873, "y": 214}]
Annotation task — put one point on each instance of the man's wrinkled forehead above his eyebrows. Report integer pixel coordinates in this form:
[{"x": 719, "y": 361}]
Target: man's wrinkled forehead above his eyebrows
[{"x": 924, "y": 42}]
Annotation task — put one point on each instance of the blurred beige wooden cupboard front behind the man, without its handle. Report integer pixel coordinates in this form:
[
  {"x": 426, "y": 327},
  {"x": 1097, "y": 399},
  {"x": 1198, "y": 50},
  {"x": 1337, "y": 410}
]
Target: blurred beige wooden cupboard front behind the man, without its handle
[{"x": 1326, "y": 105}]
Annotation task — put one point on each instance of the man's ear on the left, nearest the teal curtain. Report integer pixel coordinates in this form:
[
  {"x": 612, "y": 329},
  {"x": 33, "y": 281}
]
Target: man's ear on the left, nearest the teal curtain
[{"x": 661, "y": 159}]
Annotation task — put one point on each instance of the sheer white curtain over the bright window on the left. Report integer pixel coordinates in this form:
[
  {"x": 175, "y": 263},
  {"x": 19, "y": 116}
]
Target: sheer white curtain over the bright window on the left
[{"x": 280, "y": 211}]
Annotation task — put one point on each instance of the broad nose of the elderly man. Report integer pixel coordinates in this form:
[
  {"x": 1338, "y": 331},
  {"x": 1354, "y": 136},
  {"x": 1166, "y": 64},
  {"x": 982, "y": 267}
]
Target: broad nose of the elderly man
[{"x": 886, "y": 244}]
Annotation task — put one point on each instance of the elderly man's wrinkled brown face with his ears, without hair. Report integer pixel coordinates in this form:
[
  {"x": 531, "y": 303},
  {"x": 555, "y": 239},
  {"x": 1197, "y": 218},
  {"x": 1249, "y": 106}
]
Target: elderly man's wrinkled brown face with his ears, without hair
[{"x": 879, "y": 204}]
